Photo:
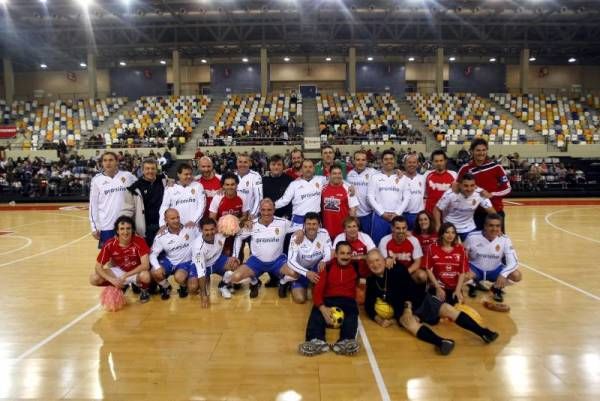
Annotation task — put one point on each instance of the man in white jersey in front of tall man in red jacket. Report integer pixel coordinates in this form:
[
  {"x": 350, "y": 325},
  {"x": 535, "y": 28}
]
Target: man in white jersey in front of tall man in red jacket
[{"x": 459, "y": 208}]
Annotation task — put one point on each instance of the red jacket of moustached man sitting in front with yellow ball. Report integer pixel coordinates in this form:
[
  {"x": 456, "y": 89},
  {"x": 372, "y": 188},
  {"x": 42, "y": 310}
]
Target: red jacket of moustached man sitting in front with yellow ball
[{"x": 335, "y": 281}]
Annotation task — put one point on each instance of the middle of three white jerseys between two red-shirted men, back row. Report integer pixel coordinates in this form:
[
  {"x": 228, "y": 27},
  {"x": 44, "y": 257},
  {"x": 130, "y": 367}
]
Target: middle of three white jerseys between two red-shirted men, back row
[{"x": 388, "y": 193}]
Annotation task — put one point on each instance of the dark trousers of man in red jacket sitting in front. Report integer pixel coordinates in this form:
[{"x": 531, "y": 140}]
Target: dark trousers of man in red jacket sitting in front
[{"x": 316, "y": 322}]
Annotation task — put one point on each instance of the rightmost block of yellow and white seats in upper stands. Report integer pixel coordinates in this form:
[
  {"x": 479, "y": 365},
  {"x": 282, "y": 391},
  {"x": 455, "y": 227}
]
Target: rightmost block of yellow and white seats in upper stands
[{"x": 560, "y": 119}]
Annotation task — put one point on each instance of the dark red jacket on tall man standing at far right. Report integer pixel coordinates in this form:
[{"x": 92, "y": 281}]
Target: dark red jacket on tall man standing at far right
[{"x": 491, "y": 177}]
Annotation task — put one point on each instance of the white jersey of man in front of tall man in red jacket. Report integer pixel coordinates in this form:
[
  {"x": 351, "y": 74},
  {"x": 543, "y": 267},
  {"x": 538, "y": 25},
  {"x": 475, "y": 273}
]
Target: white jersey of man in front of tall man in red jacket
[{"x": 459, "y": 210}]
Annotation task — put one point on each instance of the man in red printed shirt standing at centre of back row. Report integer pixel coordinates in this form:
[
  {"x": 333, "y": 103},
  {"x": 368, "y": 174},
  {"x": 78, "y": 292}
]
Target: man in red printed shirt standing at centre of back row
[{"x": 336, "y": 202}]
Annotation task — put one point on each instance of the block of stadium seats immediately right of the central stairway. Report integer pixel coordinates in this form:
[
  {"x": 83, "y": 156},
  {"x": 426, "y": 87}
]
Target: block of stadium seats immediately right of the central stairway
[{"x": 364, "y": 117}]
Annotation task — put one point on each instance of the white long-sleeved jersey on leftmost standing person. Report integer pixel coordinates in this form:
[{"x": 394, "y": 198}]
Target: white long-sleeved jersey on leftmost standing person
[{"x": 107, "y": 196}]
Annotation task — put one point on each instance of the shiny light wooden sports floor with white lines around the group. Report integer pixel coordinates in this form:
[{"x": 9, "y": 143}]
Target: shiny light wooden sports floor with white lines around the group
[{"x": 56, "y": 342}]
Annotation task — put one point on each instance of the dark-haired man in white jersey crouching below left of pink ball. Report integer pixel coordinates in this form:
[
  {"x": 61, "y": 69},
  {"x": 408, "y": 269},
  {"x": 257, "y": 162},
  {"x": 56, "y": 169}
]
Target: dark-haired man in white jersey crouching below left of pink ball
[{"x": 208, "y": 256}]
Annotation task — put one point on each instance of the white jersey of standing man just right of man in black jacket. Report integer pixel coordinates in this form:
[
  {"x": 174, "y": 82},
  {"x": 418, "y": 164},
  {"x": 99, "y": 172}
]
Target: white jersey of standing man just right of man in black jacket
[{"x": 189, "y": 202}]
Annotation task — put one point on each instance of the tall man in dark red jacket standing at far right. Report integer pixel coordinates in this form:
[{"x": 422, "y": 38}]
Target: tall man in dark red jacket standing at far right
[{"x": 489, "y": 176}]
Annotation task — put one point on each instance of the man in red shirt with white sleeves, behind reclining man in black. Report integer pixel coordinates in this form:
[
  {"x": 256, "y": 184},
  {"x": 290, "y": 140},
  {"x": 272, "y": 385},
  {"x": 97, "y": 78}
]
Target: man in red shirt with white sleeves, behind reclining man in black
[{"x": 398, "y": 247}]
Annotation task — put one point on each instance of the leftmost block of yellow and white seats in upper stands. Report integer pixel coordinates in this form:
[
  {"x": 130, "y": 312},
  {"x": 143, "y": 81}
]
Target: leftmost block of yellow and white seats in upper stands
[{"x": 59, "y": 120}]
